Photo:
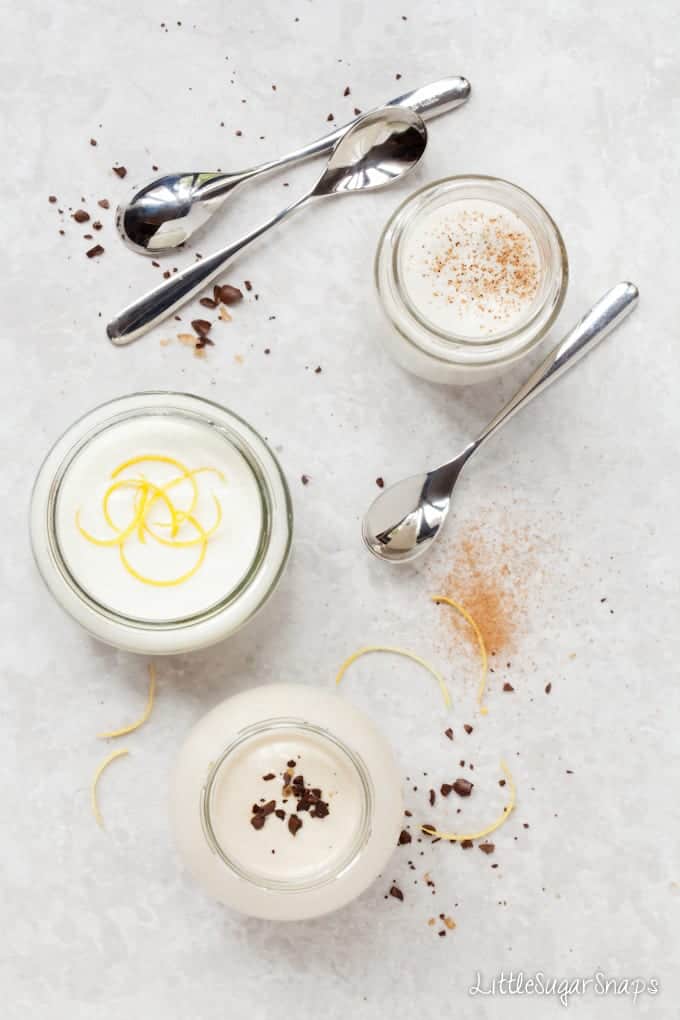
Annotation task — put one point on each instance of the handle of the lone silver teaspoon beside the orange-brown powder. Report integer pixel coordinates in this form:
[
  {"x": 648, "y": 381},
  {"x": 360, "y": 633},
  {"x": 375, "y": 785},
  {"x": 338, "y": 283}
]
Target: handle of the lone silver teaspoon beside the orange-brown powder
[{"x": 596, "y": 325}]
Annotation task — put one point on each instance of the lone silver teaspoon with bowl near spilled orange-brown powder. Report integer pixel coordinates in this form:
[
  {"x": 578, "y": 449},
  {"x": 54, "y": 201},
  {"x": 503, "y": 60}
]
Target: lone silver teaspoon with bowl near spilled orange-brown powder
[{"x": 405, "y": 520}]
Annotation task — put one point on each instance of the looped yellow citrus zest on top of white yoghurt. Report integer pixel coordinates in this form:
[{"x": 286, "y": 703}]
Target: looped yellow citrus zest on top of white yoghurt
[{"x": 146, "y": 496}]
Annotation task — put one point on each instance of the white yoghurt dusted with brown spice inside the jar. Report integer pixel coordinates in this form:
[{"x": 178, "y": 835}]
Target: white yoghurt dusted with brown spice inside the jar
[{"x": 472, "y": 268}]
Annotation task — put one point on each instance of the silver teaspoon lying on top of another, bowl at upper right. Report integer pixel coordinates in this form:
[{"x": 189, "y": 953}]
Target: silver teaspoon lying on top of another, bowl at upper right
[{"x": 378, "y": 150}]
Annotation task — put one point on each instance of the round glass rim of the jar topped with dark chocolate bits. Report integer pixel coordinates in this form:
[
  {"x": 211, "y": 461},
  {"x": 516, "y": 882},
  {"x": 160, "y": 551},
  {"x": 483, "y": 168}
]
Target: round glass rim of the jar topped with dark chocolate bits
[{"x": 323, "y": 877}]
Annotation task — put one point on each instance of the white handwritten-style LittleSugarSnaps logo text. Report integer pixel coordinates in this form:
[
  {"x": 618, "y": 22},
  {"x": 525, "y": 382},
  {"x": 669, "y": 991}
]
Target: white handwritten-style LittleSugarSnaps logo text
[{"x": 563, "y": 989}]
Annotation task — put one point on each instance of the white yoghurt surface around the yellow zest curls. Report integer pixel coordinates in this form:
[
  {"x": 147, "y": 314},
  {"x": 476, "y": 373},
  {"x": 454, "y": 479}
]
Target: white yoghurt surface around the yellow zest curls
[{"x": 230, "y": 552}]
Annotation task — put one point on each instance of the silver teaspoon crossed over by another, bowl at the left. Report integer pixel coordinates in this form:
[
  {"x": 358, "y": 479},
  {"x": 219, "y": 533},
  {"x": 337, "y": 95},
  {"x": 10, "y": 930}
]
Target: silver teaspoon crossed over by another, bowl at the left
[{"x": 169, "y": 211}]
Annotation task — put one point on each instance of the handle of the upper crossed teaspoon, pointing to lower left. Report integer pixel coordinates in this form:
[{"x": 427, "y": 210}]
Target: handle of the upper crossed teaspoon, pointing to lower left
[{"x": 153, "y": 308}]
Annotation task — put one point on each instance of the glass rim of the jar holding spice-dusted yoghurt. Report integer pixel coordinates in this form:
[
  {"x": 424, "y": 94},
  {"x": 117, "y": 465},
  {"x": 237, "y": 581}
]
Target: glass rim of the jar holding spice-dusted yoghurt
[{"x": 445, "y": 346}]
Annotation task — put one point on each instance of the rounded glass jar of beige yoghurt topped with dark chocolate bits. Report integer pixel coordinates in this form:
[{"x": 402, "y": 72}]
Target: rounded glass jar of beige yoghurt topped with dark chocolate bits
[{"x": 235, "y": 761}]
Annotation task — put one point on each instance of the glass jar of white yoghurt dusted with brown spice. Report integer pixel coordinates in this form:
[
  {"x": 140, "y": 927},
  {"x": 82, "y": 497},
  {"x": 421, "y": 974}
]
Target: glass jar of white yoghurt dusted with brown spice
[{"x": 472, "y": 273}]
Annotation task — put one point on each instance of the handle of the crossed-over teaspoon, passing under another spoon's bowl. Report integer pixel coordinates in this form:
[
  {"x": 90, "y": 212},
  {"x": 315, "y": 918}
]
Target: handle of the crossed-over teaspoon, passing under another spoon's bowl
[{"x": 429, "y": 101}]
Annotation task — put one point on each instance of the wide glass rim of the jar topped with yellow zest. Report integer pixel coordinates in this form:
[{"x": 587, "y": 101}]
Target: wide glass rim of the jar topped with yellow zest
[{"x": 108, "y": 623}]
